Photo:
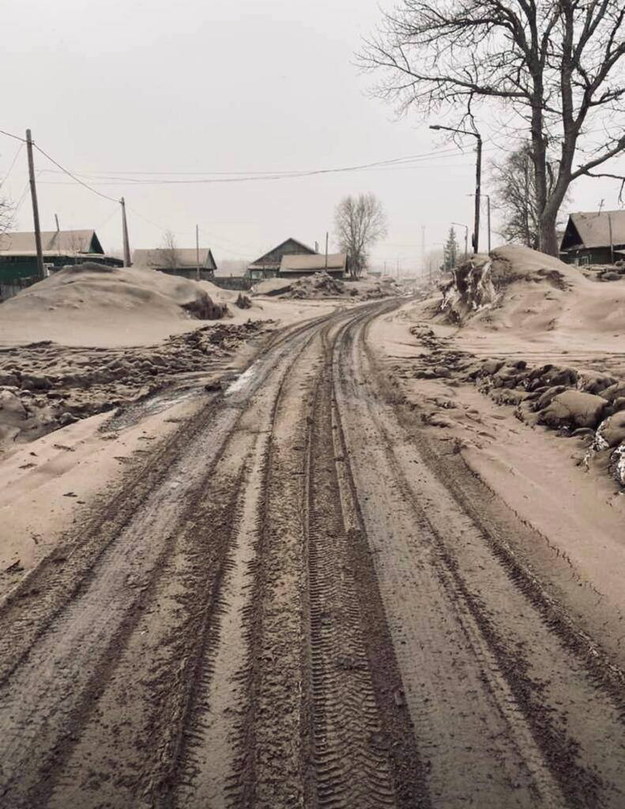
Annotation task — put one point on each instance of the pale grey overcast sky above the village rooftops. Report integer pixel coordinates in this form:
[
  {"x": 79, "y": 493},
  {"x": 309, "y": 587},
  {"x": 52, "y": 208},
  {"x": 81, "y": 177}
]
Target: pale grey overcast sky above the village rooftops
[{"x": 205, "y": 86}]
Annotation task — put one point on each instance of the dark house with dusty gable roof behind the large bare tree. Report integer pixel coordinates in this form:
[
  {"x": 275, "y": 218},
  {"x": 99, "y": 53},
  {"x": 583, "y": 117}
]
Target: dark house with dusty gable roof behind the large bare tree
[{"x": 596, "y": 237}]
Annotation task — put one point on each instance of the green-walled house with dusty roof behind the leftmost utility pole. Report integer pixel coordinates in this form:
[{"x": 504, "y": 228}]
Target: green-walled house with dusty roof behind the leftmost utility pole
[{"x": 18, "y": 255}]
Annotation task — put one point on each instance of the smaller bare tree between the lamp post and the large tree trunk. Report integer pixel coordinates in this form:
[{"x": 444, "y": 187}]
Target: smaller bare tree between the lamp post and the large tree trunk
[{"x": 515, "y": 196}]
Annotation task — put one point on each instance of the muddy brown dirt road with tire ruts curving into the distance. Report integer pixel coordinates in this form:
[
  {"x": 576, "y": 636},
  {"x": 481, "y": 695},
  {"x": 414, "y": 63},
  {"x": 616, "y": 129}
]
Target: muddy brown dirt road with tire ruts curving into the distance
[{"x": 302, "y": 603}]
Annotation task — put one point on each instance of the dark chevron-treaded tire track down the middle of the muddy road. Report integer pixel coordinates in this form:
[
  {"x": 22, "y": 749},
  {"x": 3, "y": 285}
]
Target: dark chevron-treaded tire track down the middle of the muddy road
[{"x": 350, "y": 747}]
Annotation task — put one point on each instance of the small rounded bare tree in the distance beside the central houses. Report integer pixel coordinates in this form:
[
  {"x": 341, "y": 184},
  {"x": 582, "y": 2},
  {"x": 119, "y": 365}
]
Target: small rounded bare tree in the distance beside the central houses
[{"x": 359, "y": 223}]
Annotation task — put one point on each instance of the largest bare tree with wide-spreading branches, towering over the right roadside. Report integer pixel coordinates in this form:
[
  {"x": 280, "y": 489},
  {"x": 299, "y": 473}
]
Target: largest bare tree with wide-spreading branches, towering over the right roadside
[{"x": 558, "y": 64}]
